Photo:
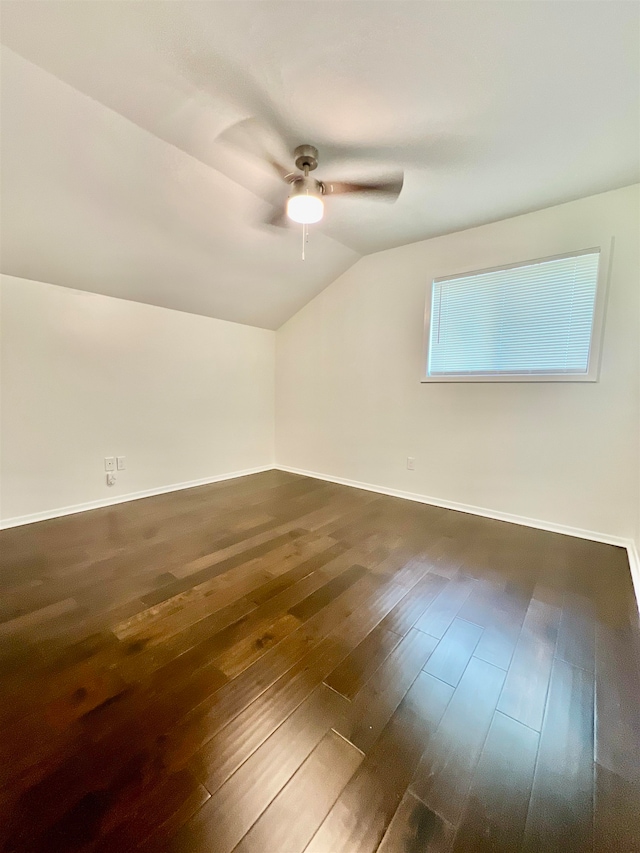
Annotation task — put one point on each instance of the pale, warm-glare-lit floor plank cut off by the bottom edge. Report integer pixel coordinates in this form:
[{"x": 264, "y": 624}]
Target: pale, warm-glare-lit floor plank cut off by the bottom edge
[{"x": 294, "y": 816}]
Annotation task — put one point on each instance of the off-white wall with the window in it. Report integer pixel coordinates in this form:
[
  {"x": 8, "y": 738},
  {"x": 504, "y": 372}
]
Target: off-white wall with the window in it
[{"x": 349, "y": 402}]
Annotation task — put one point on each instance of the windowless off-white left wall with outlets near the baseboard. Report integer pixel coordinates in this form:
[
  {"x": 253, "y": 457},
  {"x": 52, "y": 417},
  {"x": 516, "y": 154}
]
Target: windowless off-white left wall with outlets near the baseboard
[{"x": 84, "y": 376}]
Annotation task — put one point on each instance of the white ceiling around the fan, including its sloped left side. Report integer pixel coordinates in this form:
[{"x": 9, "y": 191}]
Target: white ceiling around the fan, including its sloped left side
[{"x": 114, "y": 180}]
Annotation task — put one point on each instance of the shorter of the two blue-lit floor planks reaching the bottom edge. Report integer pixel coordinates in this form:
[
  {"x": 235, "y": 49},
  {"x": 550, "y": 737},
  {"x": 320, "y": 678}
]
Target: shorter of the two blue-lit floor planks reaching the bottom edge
[{"x": 496, "y": 811}]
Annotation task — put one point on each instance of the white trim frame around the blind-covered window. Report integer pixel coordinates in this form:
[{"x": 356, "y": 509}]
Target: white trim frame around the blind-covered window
[{"x": 597, "y": 332}]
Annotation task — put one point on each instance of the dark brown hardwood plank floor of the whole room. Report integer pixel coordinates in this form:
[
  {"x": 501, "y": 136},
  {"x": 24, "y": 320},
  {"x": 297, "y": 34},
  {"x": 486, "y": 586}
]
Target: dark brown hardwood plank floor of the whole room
[{"x": 276, "y": 664}]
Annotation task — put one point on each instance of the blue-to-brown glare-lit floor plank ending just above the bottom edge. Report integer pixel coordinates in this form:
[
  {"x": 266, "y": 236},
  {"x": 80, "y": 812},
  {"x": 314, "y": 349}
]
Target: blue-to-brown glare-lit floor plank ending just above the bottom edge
[{"x": 444, "y": 775}]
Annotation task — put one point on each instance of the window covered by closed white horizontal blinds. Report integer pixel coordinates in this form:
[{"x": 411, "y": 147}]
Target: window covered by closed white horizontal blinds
[{"x": 532, "y": 321}]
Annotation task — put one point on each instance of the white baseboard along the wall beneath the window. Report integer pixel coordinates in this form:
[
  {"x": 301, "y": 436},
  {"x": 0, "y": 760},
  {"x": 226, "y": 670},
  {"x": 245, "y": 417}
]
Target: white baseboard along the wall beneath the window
[{"x": 553, "y": 527}]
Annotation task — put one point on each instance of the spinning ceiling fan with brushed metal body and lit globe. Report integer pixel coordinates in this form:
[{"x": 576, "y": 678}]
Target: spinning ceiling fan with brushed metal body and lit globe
[{"x": 304, "y": 203}]
